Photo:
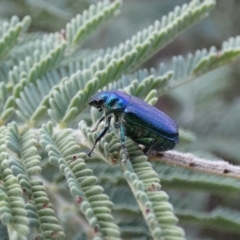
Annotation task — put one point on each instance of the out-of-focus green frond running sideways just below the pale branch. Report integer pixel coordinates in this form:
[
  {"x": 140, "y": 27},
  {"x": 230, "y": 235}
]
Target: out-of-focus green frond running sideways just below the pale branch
[{"x": 173, "y": 178}]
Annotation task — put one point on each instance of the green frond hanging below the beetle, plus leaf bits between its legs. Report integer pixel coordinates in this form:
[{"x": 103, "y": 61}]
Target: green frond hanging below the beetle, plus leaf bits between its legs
[{"x": 145, "y": 185}]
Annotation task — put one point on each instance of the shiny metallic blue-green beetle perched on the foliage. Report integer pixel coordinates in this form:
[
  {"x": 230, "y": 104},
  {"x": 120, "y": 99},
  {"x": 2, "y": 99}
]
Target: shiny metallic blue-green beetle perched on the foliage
[{"x": 136, "y": 119}]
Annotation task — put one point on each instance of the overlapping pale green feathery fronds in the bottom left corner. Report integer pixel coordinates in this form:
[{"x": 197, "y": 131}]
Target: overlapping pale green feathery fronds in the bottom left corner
[{"x": 22, "y": 164}]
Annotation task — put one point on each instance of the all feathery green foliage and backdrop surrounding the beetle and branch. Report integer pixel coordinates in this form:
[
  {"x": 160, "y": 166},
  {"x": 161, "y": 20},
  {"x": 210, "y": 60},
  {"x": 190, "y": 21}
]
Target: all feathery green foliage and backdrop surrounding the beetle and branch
[{"x": 51, "y": 62}]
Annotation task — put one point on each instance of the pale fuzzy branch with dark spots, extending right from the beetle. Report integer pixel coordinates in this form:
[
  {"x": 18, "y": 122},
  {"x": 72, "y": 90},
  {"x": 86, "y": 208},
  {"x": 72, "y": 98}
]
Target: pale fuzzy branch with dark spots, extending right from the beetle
[{"x": 189, "y": 161}]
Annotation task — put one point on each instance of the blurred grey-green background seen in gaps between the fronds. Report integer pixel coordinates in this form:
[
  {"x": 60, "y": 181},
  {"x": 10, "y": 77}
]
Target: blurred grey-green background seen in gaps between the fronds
[{"x": 209, "y": 107}]
